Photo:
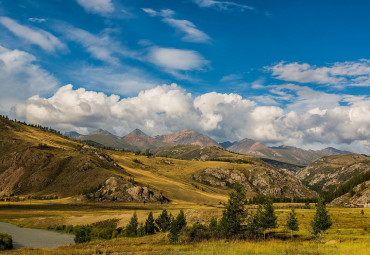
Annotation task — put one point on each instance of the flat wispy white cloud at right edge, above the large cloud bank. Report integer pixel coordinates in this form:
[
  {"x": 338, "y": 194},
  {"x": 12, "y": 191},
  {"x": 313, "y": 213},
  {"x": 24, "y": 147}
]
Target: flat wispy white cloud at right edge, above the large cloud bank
[{"x": 349, "y": 73}]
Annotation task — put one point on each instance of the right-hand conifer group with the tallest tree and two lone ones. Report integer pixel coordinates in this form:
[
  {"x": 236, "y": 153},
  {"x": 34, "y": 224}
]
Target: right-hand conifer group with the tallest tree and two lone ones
[{"x": 238, "y": 223}]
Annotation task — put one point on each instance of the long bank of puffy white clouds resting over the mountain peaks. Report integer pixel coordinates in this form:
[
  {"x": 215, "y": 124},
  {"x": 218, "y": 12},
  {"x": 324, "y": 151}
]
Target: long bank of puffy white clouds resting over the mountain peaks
[{"x": 170, "y": 108}]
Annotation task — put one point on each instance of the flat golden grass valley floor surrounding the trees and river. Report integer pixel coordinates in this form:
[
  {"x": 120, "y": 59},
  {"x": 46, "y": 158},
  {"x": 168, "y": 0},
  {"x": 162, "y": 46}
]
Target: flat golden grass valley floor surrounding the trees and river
[{"x": 350, "y": 233}]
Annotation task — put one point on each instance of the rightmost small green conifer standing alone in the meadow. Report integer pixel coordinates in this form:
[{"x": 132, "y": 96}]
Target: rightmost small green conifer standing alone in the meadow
[{"x": 321, "y": 221}]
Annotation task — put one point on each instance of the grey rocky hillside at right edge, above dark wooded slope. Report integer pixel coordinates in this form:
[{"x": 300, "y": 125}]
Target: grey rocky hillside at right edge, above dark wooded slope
[{"x": 328, "y": 172}]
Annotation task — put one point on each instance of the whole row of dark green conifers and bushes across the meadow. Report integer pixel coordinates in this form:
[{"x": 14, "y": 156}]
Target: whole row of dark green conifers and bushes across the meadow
[{"x": 236, "y": 223}]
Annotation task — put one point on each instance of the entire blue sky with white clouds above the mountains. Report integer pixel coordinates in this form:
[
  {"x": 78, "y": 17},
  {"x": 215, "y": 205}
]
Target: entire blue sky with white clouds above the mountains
[{"x": 294, "y": 72}]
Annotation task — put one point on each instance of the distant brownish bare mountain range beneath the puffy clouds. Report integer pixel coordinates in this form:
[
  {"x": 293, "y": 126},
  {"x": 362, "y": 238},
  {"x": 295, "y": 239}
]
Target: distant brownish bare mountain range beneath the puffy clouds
[{"x": 139, "y": 141}]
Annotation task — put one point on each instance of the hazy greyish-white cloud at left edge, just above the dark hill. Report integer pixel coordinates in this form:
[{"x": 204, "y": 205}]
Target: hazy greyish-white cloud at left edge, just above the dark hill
[{"x": 21, "y": 77}]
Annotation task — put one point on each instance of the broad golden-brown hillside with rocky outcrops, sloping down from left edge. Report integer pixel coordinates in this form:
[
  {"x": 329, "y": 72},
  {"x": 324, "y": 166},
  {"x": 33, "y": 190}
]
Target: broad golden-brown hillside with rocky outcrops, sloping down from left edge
[{"x": 34, "y": 161}]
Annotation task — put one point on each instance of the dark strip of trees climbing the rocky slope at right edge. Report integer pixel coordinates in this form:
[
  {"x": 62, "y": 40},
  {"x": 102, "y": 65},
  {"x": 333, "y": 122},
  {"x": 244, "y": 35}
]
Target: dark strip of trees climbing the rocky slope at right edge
[{"x": 348, "y": 186}]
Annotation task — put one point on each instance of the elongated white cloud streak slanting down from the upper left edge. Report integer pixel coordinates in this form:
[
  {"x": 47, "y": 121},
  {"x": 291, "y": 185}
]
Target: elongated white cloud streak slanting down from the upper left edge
[{"x": 37, "y": 36}]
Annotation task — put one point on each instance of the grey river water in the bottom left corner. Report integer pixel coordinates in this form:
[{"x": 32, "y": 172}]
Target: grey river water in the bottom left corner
[{"x": 29, "y": 237}]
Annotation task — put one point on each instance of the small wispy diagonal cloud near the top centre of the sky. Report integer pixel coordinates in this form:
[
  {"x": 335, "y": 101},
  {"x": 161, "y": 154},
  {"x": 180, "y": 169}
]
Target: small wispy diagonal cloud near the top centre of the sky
[{"x": 192, "y": 33}]
